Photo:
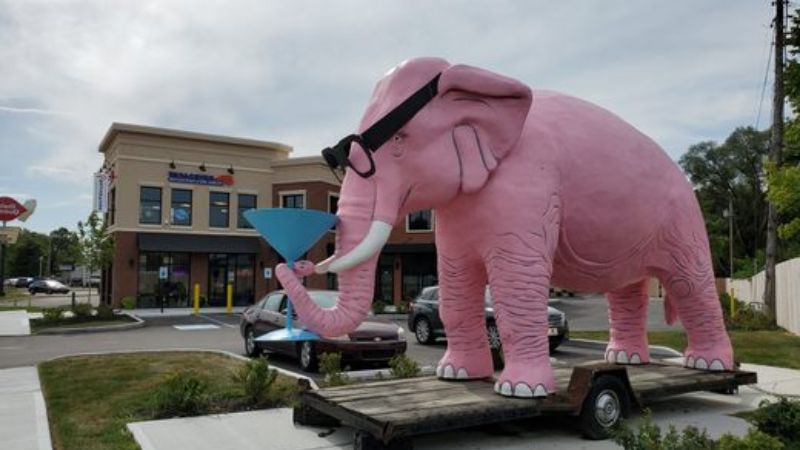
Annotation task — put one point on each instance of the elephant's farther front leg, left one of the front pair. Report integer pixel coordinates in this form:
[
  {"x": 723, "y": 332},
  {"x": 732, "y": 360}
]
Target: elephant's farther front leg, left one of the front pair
[{"x": 461, "y": 306}]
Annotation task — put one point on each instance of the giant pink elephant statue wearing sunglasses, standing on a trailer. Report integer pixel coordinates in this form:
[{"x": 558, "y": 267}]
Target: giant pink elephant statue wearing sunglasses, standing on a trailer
[{"x": 530, "y": 188}]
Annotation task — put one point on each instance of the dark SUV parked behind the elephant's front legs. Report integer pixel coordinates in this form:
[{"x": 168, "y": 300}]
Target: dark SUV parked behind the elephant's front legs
[{"x": 425, "y": 323}]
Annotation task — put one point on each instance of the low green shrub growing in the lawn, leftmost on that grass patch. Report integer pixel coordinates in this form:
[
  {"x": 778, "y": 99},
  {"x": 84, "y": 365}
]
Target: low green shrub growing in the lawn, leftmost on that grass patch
[{"x": 180, "y": 394}]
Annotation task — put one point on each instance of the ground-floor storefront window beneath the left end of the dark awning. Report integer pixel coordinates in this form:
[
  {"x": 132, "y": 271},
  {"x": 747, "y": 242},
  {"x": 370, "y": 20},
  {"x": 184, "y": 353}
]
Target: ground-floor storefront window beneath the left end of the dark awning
[{"x": 174, "y": 290}]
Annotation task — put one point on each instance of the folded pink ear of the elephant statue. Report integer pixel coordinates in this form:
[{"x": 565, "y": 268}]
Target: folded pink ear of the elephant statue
[{"x": 492, "y": 110}]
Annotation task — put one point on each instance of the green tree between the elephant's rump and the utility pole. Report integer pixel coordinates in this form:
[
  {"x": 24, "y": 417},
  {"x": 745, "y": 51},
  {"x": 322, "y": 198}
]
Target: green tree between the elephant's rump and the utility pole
[{"x": 732, "y": 172}]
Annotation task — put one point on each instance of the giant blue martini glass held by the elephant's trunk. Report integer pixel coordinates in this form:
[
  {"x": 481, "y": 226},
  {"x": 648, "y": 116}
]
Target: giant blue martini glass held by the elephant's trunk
[{"x": 291, "y": 232}]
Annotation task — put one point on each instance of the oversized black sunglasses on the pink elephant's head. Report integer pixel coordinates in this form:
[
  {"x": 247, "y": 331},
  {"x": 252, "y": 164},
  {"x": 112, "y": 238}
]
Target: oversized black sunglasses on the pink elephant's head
[{"x": 338, "y": 156}]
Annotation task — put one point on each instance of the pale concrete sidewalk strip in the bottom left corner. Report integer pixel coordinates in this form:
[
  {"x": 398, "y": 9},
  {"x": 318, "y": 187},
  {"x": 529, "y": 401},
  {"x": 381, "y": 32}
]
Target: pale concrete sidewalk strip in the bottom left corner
[{"x": 23, "y": 415}]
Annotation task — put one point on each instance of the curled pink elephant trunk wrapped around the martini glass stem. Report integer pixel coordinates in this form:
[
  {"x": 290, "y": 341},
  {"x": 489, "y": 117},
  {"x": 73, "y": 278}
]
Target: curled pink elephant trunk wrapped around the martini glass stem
[{"x": 356, "y": 284}]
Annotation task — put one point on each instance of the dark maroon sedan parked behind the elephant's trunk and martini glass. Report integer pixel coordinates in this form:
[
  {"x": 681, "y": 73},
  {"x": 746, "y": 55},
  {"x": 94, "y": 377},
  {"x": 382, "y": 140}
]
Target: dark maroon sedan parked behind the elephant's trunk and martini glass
[{"x": 374, "y": 341}]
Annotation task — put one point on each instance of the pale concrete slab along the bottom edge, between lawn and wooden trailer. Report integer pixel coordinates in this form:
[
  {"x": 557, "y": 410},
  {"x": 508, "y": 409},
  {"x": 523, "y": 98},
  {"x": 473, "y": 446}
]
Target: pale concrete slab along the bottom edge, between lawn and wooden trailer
[{"x": 257, "y": 430}]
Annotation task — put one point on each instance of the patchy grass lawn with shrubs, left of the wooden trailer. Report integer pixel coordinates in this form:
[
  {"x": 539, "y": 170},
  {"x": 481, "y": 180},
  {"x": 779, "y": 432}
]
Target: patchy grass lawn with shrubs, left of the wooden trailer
[{"x": 90, "y": 399}]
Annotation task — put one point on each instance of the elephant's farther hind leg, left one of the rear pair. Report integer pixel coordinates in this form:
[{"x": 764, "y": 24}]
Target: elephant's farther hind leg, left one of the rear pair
[{"x": 627, "y": 318}]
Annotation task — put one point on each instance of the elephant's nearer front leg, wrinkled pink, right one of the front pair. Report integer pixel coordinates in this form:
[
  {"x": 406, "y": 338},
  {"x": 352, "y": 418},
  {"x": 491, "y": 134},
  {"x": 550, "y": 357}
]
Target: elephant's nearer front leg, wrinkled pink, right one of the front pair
[{"x": 519, "y": 266}]
